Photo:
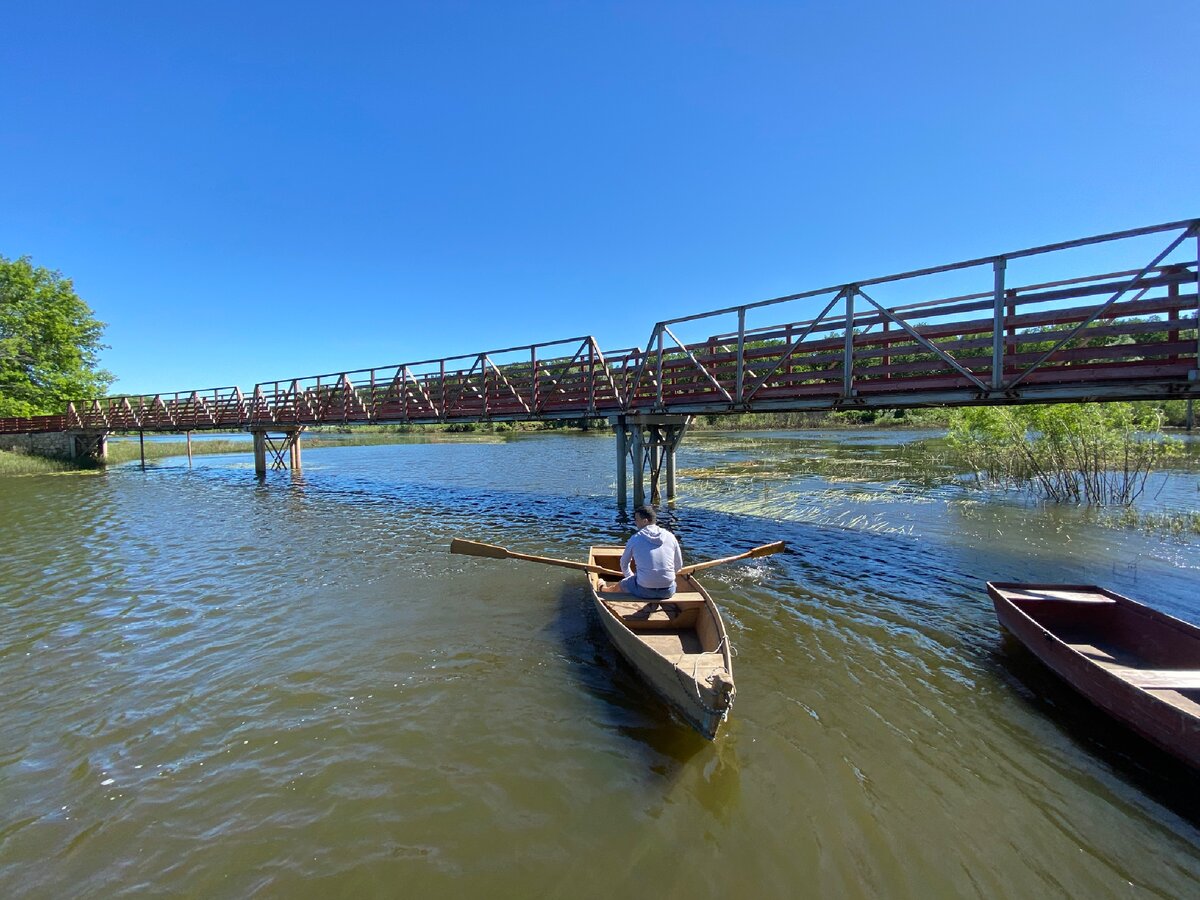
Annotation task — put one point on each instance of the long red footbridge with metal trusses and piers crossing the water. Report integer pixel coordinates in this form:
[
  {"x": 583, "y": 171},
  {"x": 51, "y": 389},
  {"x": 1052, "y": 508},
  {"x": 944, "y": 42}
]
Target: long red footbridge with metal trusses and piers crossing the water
[{"x": 1023, "y": 327}]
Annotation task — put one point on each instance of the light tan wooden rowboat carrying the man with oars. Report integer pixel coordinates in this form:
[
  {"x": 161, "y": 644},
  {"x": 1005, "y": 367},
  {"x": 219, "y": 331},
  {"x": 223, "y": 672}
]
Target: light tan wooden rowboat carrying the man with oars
[{"x": 679, "y": 646}]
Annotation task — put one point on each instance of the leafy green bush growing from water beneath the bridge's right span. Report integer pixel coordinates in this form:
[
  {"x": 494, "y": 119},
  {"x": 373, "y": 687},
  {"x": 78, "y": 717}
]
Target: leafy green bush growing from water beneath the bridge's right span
[{"x": 1095, "y": 454}]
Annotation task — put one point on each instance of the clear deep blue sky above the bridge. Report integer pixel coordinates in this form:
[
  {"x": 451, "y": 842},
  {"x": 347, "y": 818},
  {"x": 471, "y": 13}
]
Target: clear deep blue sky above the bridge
[{"x": 255, "y": 191}]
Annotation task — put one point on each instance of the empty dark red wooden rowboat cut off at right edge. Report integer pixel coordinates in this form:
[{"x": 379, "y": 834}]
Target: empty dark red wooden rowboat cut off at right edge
[{"x": 1138, "y": 665}]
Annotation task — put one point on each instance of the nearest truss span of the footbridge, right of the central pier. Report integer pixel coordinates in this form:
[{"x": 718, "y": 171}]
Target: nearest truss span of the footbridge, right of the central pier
[{"x": 1124, "y": 327}]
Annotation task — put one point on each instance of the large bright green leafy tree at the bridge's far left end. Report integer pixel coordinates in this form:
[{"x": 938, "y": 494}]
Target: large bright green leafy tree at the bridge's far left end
[{"x": 50, "y": 343}]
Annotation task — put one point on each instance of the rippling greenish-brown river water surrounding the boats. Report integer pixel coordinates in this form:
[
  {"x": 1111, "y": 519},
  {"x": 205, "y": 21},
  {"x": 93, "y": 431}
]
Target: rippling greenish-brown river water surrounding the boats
[{"x": 221, "y": 688}]
